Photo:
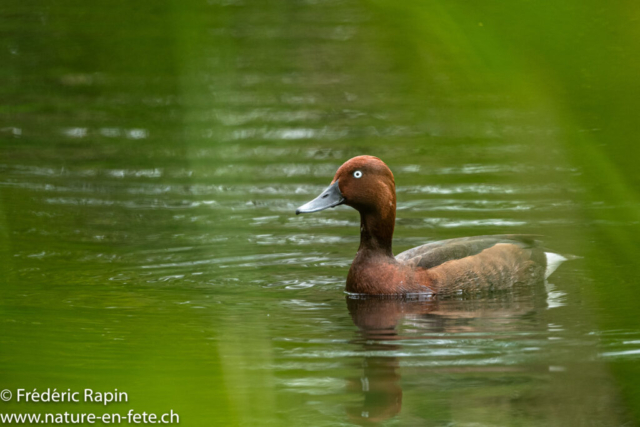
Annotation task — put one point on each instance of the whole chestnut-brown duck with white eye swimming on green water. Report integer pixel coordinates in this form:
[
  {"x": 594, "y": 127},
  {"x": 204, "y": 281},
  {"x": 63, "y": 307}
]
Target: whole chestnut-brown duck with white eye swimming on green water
[{"x": 460, "y": 265}]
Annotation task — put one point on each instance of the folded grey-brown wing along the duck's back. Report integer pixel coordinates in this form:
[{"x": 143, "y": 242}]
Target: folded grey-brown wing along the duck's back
[{"x": 437, "y": 253}]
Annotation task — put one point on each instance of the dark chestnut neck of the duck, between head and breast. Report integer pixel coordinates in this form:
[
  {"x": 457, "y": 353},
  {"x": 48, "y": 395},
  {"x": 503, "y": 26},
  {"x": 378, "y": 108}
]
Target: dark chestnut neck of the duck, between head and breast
[{"x": 376, "y": 231}]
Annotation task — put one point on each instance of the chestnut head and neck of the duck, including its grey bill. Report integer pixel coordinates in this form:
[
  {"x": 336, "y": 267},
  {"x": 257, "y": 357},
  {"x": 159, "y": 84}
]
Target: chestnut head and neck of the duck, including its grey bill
[{"x": 366, "y": 184}]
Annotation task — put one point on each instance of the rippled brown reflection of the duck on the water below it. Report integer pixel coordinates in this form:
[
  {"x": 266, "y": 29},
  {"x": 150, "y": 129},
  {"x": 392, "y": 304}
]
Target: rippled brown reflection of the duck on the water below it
[{"x": 384, "y": 322}]
